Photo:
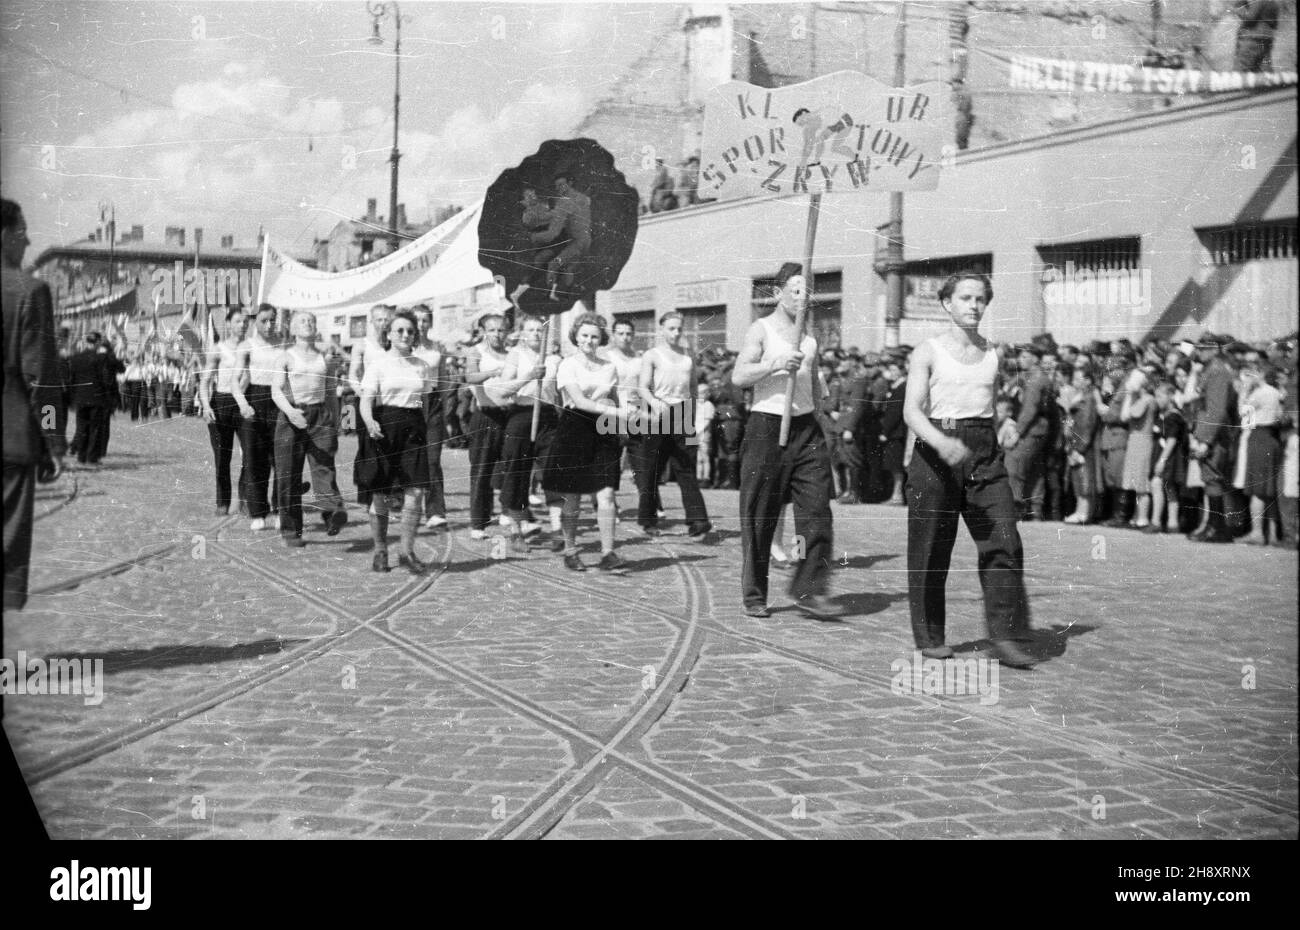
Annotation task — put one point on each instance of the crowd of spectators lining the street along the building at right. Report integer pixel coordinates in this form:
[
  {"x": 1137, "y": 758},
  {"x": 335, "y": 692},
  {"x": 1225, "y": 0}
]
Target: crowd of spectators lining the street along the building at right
[{"x": 1099, "y": 434}]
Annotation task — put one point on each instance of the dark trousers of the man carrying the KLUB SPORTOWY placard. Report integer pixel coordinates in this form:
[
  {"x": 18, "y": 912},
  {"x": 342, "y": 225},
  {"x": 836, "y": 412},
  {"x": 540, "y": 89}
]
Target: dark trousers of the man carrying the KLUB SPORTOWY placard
[{"x": 769, "y": 478}]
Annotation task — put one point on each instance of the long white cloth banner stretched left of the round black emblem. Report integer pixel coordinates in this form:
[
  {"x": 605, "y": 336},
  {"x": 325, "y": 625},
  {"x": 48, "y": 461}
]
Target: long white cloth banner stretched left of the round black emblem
[{"x": 444, "y": 261}]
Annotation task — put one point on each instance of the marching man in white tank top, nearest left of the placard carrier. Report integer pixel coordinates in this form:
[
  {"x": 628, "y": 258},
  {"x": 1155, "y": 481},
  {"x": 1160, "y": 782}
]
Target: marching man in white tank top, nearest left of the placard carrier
[{"x": 668, "y": 396}]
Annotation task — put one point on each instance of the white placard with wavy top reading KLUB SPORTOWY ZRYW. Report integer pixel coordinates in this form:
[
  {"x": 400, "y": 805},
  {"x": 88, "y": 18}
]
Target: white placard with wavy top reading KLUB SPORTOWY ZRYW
[{"x": 835, "y": 135}]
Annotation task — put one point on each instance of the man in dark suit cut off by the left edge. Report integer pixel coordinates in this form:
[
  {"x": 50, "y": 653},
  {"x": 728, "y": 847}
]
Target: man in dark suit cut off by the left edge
[{"x": 33, "y": 400}]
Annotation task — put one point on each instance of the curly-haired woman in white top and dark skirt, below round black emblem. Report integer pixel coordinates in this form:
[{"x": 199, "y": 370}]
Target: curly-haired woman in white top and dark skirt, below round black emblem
[{"x": 584, "y": 457}]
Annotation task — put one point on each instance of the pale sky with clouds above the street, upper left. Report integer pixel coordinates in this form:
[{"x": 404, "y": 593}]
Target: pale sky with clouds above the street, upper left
[{"x": 233, "y": 116}]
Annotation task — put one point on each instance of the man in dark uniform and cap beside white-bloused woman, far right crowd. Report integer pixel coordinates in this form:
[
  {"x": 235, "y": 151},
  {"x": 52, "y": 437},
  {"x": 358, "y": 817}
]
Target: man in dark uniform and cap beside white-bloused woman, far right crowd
[{"x": 1215, "y": 440}]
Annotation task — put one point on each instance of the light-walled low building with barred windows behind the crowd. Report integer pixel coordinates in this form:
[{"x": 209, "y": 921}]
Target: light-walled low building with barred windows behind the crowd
[{"x": 1168, "y": 223}]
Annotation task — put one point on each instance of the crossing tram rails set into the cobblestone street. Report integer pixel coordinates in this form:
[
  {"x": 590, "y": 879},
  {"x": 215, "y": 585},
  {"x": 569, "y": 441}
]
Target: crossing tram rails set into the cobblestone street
[{"x": 593, "y": 752}]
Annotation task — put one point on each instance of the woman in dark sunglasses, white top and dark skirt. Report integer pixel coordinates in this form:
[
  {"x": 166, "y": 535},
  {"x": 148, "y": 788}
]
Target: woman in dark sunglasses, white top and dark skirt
[{"x": 392, "y": 405}]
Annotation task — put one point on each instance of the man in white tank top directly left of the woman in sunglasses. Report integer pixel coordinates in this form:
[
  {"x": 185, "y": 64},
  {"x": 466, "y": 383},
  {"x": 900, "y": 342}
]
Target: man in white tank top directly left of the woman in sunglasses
[{"x": 307, "y": 430}]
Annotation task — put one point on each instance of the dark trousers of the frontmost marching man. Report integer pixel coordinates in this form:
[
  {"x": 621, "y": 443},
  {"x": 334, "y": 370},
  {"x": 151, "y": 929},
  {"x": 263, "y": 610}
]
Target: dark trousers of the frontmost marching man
[{"x": 980, "y": 492}]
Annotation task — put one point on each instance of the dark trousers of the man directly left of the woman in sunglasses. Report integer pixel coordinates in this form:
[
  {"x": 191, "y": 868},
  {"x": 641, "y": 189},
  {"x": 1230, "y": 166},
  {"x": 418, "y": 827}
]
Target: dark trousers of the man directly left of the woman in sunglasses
[{"x": 317, "y": 444}]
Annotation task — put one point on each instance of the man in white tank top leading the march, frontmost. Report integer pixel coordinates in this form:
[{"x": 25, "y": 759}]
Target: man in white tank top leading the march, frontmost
[{"x": 957, "y": 472}]
